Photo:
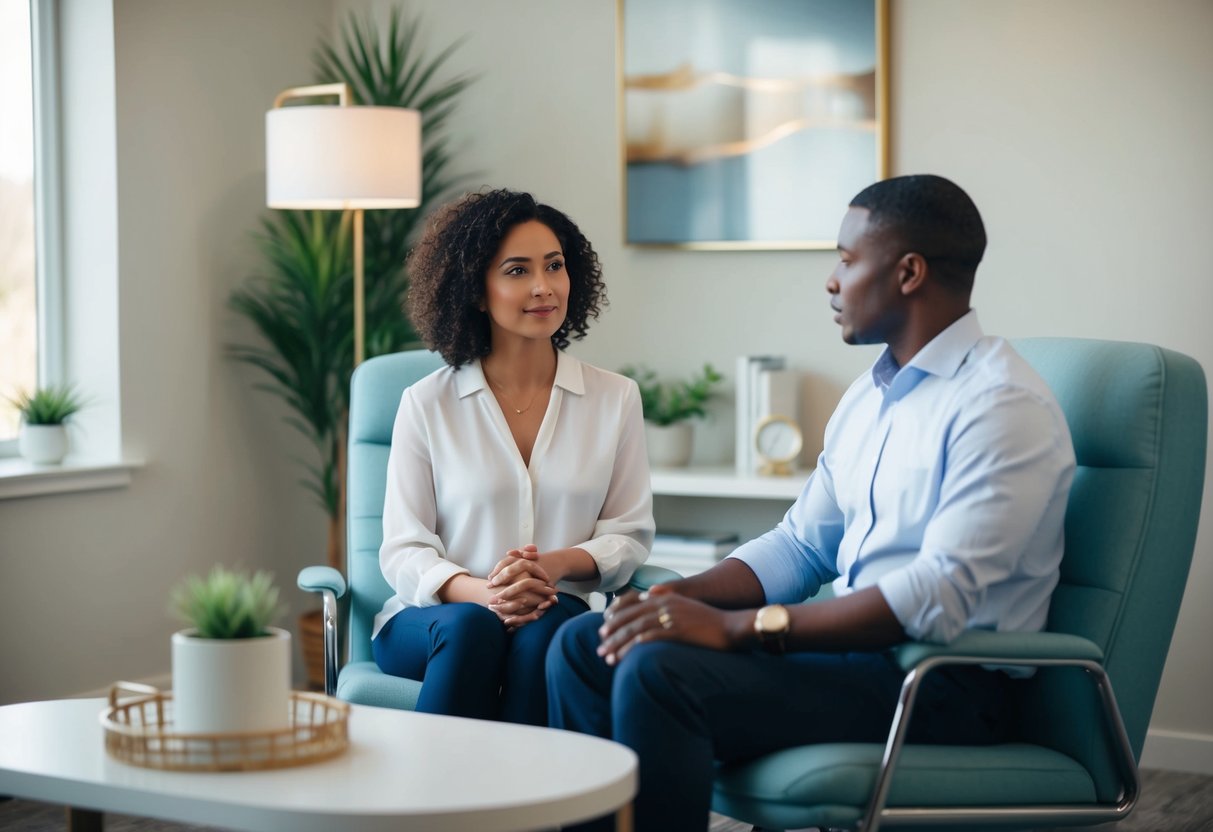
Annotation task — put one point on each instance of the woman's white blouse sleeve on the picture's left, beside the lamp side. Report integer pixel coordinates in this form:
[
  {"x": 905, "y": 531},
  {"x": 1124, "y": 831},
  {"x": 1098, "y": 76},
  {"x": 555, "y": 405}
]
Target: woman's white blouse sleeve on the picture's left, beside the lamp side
[{"x": 413, "y": 557}]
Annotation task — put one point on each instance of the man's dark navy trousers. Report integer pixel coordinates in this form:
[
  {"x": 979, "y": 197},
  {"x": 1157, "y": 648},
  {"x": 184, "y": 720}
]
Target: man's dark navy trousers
[{"x": 682, "y": 708}]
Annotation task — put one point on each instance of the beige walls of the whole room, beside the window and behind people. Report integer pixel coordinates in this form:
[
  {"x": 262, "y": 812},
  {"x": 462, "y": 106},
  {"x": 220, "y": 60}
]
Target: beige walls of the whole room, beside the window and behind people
[{"x": 1080, "y": 128}]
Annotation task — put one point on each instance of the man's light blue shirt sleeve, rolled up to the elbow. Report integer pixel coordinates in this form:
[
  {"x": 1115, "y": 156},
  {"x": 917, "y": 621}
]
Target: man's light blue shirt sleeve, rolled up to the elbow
[{"x": 1010, "y": 465}]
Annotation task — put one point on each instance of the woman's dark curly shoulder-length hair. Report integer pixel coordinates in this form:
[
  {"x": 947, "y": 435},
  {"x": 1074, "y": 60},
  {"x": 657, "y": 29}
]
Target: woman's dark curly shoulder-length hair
[{"x": 449, "y": 266}]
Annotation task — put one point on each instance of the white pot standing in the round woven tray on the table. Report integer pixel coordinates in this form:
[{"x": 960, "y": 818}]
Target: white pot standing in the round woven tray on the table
[{"x": 231, "y": 686}]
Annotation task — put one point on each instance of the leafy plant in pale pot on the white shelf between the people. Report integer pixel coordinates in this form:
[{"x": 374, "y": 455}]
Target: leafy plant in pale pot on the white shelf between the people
[{"x": 669, "y": 408}]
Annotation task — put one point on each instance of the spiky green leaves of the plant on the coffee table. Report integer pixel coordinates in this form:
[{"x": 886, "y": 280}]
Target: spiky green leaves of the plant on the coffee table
[{"x": 229, "y": 603}]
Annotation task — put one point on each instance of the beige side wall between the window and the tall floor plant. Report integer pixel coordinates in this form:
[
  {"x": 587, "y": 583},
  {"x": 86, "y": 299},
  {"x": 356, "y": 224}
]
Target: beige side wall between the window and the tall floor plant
[{"x": 87, "y": 577}]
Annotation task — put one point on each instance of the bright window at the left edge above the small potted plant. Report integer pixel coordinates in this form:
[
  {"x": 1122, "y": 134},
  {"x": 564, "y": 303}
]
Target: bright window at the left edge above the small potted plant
[{"x": 29, "y": 207}]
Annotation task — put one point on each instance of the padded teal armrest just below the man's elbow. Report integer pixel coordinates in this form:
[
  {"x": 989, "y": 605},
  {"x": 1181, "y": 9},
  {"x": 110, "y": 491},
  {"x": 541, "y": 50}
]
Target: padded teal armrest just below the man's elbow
[{"x": 990, "y": 648}]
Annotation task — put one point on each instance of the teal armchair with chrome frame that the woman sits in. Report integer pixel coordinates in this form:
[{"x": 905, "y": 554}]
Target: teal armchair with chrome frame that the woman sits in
[{"x": 350, "y": 608}]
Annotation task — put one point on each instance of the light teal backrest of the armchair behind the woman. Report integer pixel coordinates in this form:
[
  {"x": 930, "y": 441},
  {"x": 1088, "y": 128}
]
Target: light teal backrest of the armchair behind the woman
[{"x": 374, "y": 398}]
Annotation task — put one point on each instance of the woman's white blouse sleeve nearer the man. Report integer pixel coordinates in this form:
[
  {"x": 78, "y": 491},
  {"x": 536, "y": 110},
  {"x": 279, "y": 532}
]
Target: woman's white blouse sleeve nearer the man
[{"x": 624, "y": 533}]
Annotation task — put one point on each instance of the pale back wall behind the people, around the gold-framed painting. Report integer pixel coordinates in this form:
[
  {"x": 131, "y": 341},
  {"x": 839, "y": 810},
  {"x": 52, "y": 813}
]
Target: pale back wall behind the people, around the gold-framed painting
[{"x": 1080, "y": 128}]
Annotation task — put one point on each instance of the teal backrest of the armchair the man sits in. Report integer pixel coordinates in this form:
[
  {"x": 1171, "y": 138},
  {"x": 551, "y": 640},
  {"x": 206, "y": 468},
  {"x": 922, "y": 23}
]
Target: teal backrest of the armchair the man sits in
[{"x": 1138, "y": 415}]
